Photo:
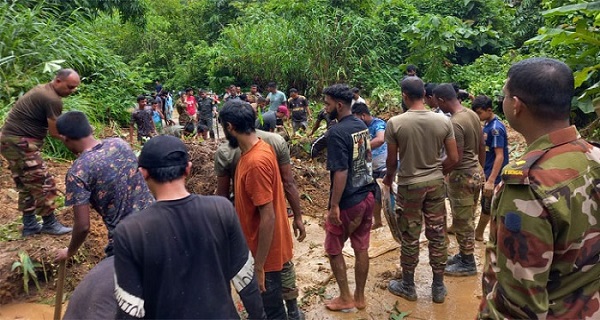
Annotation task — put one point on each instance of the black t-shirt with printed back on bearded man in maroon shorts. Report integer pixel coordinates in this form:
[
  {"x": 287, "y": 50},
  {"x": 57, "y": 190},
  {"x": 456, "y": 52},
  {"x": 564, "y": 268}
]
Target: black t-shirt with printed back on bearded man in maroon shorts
[{"x": 349, "y": 148}]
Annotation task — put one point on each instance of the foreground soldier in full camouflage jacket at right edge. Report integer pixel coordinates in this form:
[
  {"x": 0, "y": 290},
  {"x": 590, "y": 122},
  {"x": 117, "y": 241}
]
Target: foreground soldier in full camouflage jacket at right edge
[{"x": 543, "y": 257}]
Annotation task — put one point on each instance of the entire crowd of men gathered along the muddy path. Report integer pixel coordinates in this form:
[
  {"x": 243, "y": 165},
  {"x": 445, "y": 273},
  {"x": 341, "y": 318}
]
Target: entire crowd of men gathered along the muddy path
[{"x": 172, "y": 254}]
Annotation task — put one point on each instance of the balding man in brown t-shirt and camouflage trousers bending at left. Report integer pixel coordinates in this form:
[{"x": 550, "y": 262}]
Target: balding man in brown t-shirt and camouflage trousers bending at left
[{"x": 29, "y": 121}]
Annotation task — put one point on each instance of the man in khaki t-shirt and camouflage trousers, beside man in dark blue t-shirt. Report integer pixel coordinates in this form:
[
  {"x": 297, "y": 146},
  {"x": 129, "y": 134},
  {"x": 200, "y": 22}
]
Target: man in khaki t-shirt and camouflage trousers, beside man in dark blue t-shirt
[{"x": 465, "y": 178}]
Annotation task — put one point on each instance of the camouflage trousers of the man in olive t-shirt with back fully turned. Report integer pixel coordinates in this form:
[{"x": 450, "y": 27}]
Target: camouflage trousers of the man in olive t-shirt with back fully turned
[{"x": 415, "y": 203}]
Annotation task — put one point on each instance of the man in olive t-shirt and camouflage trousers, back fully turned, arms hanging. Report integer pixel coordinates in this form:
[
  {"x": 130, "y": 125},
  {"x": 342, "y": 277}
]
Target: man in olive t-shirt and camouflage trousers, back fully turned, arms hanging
[{"x": 421, "y": 192}]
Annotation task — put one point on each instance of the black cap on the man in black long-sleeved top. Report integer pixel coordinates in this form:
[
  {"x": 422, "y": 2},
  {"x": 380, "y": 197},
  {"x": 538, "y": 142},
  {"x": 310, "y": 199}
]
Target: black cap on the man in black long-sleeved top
[{"x": 163, "y": 151}]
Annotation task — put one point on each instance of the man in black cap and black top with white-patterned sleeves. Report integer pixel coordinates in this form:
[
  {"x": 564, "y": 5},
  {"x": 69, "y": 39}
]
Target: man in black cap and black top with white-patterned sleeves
[{"x": 175, "y": 259}]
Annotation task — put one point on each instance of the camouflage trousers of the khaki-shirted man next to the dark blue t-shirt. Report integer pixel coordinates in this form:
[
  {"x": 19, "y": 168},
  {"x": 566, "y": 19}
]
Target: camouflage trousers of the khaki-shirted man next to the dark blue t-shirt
[{"x": 463, "y": 191}]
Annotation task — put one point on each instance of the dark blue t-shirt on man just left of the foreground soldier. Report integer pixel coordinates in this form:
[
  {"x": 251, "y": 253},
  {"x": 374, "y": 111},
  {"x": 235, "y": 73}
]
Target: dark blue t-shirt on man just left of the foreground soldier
[{"x": 494, "y": 134}]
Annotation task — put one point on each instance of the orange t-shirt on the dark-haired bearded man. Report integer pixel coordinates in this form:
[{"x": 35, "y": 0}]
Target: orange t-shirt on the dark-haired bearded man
[{"x": 258, "y": 182}]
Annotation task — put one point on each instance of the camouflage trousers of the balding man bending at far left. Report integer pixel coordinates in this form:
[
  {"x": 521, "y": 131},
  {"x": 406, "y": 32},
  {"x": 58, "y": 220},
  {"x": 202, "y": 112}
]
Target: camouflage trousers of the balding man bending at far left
[{"x": 37, "y": 189}]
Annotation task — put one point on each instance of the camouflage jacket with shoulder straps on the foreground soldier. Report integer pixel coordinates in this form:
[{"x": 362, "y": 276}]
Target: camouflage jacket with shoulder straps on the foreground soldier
[{"x": 543, "y": 257}]
